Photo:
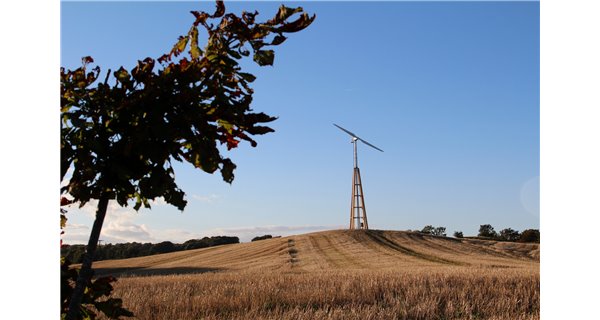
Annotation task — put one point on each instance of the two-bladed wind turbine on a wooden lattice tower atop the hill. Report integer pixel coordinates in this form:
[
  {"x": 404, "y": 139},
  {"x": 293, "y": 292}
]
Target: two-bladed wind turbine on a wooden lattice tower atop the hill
[{"x": 358, "y": 210}]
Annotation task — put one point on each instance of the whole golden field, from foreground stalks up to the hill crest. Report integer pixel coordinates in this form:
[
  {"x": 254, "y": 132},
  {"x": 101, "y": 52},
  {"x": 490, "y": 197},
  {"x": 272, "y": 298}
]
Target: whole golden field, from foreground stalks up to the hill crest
[{"x": 336, "y": 275}]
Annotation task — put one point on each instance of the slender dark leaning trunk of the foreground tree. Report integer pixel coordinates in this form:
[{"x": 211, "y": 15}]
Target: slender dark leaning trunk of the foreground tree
[{"x": 85, "y": 274}]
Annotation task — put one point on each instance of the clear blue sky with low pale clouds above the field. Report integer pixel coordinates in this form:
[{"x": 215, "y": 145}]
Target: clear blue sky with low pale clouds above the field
[{"x": 449, "y": 90}]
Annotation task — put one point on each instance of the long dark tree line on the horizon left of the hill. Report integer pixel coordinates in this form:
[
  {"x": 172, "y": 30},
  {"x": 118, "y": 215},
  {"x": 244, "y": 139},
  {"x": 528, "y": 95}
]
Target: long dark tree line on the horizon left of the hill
[{"x": 74, "y": 253}]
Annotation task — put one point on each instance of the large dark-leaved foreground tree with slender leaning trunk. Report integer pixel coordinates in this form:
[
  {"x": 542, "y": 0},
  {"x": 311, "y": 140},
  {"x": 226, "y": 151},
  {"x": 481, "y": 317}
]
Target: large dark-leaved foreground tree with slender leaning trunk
[{"x": 121, "y": 136}]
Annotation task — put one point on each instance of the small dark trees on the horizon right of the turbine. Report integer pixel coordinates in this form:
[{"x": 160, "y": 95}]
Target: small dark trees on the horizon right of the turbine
[{"x": 487, "y": 231}]
